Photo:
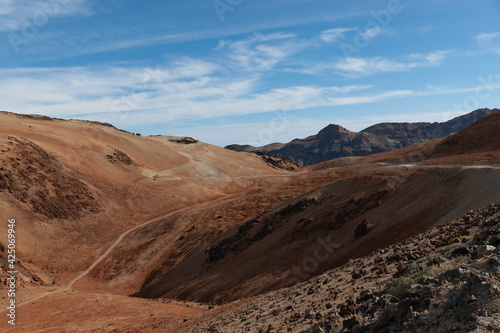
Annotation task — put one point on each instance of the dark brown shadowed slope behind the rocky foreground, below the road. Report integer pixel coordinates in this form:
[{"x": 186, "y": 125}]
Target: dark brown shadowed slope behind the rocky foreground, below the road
[{"x": 317, "y": 231}]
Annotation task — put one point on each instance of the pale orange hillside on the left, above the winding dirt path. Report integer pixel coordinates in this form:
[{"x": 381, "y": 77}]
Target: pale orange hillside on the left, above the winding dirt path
[{"x": 74, "y": 186}]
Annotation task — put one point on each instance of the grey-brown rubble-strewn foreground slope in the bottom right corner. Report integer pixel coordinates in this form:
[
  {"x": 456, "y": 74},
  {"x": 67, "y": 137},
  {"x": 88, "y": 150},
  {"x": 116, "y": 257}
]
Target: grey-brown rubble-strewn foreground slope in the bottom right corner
[{"x": 446, "y": 279}]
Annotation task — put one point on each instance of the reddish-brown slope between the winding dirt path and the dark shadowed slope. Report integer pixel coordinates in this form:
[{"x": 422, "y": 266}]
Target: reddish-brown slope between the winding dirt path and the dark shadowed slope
[{"x": 182, "y": 238}]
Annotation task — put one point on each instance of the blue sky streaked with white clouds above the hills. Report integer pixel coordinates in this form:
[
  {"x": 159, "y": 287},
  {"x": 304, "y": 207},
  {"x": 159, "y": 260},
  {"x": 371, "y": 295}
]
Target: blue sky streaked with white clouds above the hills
[{"x": 241, "y": 71}]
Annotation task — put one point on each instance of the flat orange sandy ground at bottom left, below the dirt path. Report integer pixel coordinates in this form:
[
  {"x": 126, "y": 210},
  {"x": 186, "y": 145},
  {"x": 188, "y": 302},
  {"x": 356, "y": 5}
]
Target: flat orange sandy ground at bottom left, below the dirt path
[{"x": 91, "y": 312}]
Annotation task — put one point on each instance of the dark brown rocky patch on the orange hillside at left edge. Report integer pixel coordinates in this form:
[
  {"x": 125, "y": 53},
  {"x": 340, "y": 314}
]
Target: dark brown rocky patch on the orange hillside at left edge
[{"x": 37, "y": 179}]
